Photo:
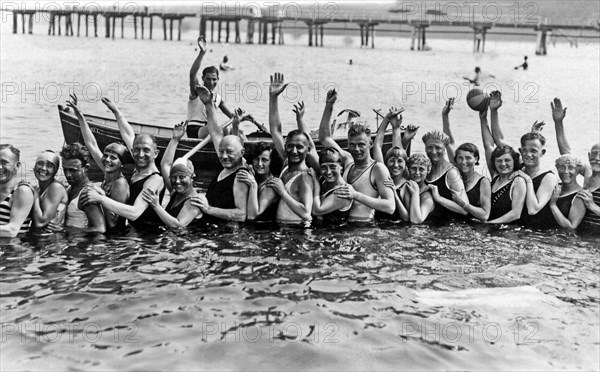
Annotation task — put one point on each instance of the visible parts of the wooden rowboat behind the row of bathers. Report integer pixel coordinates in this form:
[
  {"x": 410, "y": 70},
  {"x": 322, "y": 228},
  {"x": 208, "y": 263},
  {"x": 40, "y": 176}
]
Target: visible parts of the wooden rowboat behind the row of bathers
[{"x": 205, "y": 161}]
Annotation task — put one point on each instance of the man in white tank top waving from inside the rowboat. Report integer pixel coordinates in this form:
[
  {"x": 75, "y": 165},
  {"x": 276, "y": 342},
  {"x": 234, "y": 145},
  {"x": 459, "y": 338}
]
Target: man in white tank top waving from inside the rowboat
[{"x": 196, "y": 112}]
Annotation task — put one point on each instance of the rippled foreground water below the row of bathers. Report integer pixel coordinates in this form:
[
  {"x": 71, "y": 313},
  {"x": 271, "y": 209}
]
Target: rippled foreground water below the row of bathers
[{"x": 455, "y": 297}]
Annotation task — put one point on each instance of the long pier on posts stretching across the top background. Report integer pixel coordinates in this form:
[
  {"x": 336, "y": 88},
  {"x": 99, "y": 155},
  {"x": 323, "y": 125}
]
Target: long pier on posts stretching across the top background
[{"x": 268, "y": 23}]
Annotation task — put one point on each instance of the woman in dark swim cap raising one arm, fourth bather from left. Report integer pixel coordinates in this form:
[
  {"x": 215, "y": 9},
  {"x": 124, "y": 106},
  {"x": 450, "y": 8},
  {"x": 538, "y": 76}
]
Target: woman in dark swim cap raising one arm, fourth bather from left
[{"x": 110, "y": 161}]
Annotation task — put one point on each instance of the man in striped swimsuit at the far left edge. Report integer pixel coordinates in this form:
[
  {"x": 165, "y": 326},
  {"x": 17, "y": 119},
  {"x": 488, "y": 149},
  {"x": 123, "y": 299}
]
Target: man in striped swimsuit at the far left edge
[{"x": 16, "y": 199}]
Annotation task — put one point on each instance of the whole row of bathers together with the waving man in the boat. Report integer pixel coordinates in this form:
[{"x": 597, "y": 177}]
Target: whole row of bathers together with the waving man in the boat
[{"x": 332, "y": 187}]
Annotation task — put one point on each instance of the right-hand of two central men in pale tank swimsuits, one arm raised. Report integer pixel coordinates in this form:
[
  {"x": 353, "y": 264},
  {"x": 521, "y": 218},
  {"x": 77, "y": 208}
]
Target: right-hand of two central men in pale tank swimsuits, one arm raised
[{"x": 365, "y": 177}]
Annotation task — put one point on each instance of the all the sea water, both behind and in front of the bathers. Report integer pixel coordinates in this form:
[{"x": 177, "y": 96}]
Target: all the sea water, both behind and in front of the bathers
[{"x": 384, "y": 297}]
